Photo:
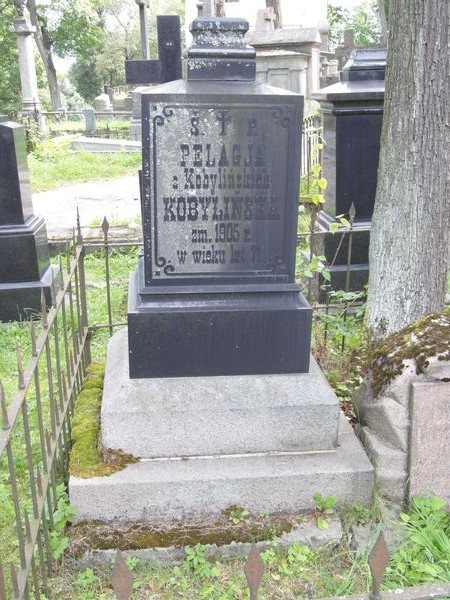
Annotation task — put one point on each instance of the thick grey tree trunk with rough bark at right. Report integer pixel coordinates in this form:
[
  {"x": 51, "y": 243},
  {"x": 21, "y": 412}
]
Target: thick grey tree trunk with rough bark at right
[{"x": 410, "y": 227}]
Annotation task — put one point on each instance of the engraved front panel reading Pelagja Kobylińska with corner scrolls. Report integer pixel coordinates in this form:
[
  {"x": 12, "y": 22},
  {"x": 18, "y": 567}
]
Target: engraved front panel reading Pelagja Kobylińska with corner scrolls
[{"x": 219, "y": 185}]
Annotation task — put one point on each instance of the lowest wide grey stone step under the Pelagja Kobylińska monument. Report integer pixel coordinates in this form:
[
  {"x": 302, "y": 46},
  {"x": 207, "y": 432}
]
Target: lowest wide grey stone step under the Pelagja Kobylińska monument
[{"x": 181, "y": 489}]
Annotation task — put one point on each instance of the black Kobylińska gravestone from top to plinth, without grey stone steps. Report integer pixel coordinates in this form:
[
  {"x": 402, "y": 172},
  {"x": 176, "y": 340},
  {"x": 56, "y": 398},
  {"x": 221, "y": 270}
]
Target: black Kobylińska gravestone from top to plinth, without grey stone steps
[{"x": 214, "y": 293}]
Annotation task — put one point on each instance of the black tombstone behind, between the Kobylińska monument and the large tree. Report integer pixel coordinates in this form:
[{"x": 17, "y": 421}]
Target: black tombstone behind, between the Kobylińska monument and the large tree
[{"x": 352, "y": 113}]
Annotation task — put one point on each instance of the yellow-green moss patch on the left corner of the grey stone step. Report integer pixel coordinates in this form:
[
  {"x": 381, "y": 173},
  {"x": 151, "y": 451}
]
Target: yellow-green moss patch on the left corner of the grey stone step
[{"x": 88, "y": 458}]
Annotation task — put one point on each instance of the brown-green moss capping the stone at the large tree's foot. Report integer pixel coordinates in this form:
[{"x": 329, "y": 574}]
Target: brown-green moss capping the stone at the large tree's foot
[{"x": 427, "y": 337}]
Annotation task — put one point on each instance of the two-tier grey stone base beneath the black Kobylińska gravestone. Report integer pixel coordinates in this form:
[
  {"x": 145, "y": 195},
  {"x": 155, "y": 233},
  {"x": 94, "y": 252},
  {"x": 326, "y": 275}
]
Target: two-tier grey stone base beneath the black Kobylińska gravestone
[{"x": 263, "y": 442}]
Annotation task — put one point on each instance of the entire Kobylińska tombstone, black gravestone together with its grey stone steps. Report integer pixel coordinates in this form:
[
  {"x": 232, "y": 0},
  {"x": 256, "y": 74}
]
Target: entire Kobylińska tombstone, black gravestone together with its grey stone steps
[{"x": 215, "y": 365}]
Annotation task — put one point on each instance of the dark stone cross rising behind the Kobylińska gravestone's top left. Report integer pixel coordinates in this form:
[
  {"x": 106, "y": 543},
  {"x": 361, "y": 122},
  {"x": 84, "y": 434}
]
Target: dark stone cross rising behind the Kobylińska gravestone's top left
[{"x": 168, "y": 67}]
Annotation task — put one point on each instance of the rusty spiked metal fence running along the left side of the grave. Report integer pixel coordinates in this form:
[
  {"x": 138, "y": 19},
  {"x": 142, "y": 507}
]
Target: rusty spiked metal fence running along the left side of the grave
[{"x": 35, "y": 430}]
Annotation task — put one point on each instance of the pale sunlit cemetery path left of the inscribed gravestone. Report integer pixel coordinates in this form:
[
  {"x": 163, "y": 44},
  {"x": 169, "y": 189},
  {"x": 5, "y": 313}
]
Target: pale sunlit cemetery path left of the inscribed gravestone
[{"x": 115, "y": 199}]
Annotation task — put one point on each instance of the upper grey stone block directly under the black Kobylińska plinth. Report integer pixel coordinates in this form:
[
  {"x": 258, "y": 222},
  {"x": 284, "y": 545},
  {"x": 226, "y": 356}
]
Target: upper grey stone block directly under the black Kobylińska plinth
[{"x": 195, "y": 416}]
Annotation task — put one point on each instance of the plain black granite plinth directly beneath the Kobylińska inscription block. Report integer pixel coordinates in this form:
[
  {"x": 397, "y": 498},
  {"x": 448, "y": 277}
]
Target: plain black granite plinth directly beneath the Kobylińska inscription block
[{"x": 199, "y": 331}]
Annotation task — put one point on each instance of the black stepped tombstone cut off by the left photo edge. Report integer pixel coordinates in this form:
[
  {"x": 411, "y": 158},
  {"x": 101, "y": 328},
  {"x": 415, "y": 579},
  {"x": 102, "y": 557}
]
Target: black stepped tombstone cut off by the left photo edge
[{"x": 25, "y": 270}]
